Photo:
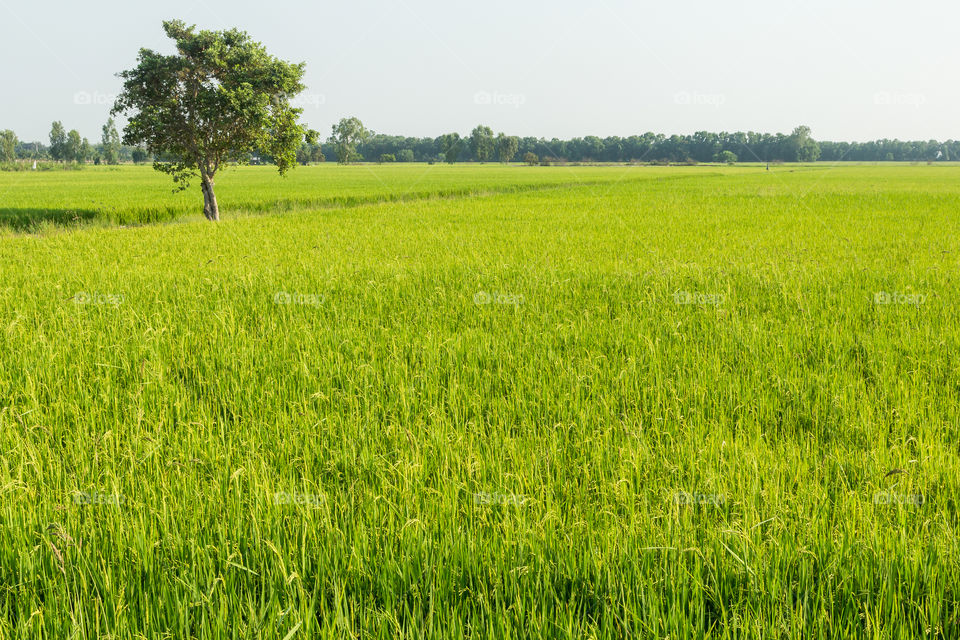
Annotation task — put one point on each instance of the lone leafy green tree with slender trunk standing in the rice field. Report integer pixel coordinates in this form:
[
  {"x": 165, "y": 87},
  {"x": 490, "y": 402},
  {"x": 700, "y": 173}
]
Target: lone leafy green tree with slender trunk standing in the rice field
[{"x": 221, "y": 97}]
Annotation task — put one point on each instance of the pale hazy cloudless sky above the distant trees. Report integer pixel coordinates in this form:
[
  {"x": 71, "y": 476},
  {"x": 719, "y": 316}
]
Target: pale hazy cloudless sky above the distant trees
[{"x": 849, "y": 69}]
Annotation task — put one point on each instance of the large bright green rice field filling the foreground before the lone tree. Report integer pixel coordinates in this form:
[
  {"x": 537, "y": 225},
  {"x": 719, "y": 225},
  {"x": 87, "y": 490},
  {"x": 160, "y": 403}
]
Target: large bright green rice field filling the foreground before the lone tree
[{"x": 664, "y": 405}]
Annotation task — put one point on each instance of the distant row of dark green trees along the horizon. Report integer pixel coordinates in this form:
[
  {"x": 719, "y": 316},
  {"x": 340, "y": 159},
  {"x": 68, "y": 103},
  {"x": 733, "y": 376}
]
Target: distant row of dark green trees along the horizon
[{"x": 350, "y": 141}]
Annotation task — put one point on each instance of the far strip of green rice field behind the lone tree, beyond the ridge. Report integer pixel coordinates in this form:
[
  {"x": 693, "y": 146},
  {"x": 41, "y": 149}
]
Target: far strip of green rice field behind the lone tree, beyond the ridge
[{"x": 128, "y": 194}]
